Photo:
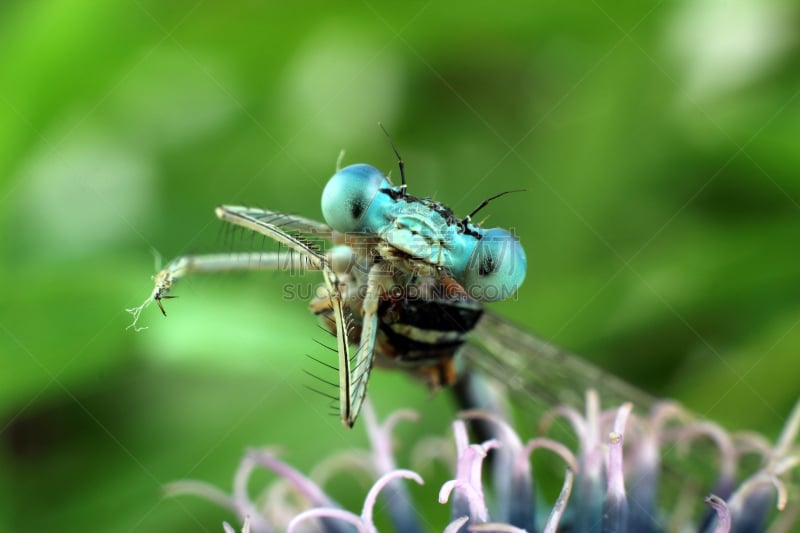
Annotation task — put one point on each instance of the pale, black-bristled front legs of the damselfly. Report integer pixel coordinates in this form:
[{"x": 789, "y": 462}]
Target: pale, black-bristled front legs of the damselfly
[{"x": 296, "y": 234}]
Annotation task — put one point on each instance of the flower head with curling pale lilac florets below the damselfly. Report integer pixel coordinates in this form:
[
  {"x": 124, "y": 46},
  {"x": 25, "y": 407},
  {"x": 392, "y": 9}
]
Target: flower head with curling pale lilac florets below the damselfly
[{"x": 612, "y": 480}]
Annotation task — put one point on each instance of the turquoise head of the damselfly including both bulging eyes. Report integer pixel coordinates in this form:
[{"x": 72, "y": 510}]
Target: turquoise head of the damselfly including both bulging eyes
[{"x": 489, "y": 263}]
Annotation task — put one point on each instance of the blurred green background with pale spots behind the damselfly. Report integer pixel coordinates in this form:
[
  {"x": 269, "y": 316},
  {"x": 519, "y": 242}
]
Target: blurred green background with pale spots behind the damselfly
[{"x": 657, "y": 141}]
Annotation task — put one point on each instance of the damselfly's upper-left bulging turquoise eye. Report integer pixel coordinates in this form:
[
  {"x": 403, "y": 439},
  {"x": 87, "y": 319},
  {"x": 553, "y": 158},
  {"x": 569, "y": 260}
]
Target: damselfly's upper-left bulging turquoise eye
[{"x": 349, "y": 196}]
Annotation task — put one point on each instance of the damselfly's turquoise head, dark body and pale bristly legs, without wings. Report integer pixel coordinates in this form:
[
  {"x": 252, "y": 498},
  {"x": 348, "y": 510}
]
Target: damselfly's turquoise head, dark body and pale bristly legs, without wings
[{"x": 404, "y": 279}]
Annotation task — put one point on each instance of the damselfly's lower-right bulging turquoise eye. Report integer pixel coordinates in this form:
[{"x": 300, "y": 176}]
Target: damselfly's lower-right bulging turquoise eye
[{"x": 496, "y": 267}]
